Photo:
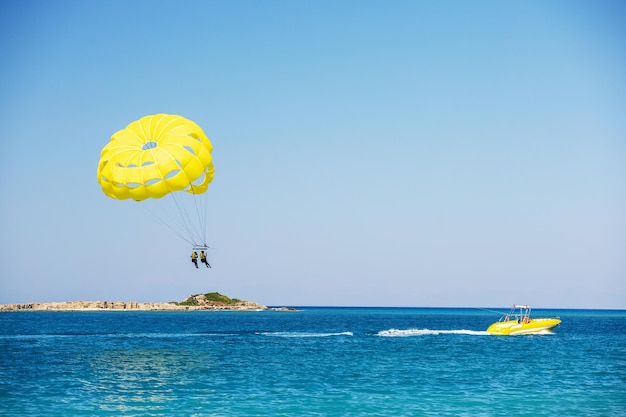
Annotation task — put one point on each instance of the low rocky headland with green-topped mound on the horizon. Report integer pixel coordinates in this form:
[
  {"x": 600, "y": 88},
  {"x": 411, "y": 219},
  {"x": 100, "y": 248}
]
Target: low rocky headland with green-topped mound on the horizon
[{"x": 212, "y": 301}]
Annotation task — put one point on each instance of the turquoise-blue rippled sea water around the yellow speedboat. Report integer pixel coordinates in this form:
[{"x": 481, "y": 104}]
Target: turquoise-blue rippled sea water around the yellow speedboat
[{"x": 318, "y": 361}]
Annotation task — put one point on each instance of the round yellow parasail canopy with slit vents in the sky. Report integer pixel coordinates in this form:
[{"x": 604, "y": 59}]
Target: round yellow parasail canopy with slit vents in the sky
[{"x": 154, "y": 156}]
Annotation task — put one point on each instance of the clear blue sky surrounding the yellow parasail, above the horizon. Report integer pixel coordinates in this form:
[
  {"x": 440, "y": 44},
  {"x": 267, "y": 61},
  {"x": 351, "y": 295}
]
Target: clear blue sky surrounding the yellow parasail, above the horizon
[{"x": 387, "y": 153}]
